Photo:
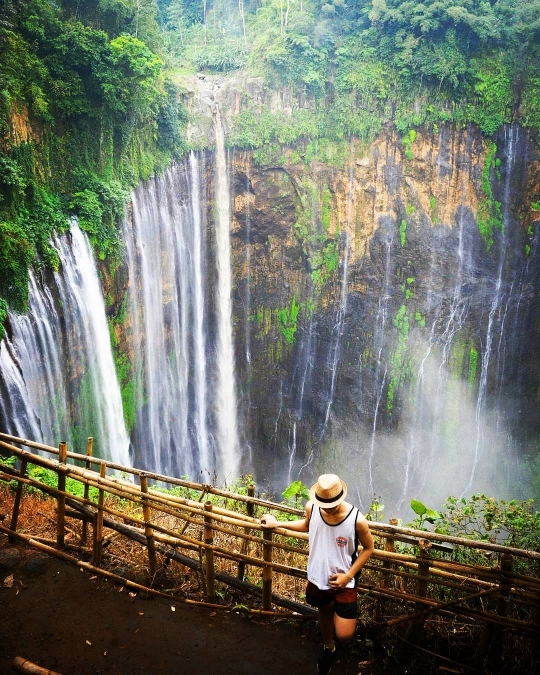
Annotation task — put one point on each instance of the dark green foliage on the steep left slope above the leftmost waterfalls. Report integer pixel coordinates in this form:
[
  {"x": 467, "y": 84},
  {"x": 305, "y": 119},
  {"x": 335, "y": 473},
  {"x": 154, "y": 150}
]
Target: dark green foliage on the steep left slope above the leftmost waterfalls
[{"x": 86, "y": 109}]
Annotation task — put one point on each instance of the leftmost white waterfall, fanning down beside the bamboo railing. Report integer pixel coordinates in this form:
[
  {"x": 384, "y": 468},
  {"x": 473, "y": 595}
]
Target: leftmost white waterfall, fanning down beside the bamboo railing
[{"x": 58, "y": 367}]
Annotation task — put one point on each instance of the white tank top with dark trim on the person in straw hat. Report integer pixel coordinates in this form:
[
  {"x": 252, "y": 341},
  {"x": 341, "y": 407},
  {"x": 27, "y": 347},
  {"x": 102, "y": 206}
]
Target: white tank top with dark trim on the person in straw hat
[{"x": 332, "y": 548}]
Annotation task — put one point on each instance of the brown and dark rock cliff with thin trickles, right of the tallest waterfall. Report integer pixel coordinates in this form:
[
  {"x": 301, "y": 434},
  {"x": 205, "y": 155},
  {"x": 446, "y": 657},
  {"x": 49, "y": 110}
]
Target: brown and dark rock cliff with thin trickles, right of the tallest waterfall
[{"x": 385, "y": 309}]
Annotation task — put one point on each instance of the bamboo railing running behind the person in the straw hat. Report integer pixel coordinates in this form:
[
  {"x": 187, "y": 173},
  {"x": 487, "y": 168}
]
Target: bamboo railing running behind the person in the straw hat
[{"x": 412, "y": 574}]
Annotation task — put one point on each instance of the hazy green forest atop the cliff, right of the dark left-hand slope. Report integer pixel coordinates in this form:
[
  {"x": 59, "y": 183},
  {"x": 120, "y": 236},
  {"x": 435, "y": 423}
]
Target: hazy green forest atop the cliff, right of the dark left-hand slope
[{"x": 369, "y": 62}]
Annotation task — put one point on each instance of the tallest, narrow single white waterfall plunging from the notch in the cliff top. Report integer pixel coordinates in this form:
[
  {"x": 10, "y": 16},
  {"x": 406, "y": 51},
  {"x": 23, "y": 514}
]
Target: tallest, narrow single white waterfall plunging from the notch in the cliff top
[{"x": 228, "y": 461}]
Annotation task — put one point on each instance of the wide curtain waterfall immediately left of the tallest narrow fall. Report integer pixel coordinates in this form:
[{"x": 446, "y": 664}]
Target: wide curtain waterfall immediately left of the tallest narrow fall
[{"x": 167, "y": 317}]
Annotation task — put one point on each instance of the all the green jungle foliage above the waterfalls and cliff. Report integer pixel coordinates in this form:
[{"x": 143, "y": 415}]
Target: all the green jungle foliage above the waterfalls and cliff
[{"x": 90, "y": 100}]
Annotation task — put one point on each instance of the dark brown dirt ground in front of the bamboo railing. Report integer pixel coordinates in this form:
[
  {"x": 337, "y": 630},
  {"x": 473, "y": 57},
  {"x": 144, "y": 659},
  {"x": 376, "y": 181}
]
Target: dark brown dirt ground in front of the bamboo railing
[{"x": 56, "y": 615}]
